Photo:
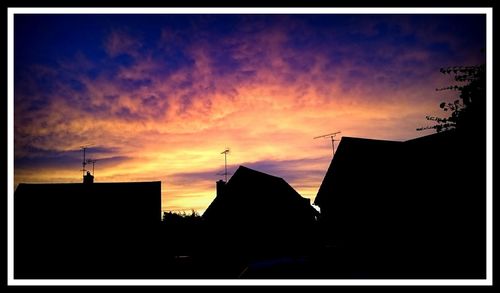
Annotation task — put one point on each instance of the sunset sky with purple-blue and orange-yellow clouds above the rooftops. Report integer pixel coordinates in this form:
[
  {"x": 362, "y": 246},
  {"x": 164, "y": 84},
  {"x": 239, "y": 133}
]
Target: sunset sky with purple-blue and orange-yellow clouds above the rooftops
[{"x": 159, "y": 97}]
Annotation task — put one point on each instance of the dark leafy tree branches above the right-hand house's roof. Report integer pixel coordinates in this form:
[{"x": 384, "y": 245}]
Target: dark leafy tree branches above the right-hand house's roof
[{"x": 465, "y": 111}]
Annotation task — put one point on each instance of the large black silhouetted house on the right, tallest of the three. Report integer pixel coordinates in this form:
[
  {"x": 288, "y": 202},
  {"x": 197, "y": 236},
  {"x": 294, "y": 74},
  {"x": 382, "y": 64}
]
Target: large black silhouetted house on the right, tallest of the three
[{"x": 414, "y": 208}]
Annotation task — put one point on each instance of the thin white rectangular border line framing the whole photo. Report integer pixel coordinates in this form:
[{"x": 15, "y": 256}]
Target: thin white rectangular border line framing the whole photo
[{"x": 488, "y": 11}]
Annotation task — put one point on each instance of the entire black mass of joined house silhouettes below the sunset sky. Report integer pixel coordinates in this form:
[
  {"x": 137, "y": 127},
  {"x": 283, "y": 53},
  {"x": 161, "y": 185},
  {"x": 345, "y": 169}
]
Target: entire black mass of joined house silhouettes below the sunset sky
[{"x": 378, "y": 220}]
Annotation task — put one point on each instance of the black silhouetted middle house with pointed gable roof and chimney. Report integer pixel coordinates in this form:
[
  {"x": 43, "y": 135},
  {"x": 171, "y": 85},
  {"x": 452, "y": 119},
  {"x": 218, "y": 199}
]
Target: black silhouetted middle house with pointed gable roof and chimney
[{"x": 259, "y": 209}]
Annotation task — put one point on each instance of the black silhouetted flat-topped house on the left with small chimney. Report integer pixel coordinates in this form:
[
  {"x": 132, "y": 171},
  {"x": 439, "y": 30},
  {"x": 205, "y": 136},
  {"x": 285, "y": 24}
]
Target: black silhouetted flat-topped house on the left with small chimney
[{"x": 84, "y": 230}]
